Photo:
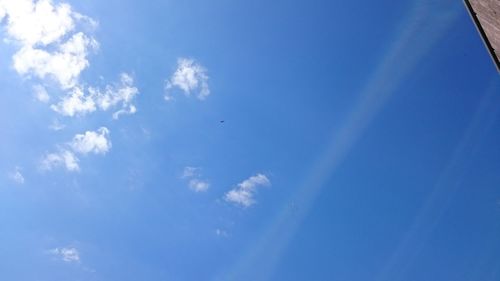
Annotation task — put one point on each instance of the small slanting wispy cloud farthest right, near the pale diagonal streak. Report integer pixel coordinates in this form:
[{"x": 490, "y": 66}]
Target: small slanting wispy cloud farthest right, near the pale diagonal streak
[{"x": 244, "y": 193}]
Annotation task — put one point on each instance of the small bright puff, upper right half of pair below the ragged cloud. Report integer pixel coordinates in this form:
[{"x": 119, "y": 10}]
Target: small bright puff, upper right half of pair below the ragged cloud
[{"x": 96, "y": 142}]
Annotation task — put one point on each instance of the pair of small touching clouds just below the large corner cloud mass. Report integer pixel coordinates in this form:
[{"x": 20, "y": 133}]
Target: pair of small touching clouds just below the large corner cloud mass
[{"x": 96, "y": 142}]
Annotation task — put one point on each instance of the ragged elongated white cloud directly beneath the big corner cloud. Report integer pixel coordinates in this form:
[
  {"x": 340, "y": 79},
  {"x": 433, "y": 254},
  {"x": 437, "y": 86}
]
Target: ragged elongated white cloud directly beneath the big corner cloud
[{"x": 80, "y": 102}]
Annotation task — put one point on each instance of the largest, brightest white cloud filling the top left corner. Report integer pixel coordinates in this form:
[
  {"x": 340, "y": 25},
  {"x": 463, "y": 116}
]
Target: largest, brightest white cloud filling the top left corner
[{"x": 40, "y": 29}]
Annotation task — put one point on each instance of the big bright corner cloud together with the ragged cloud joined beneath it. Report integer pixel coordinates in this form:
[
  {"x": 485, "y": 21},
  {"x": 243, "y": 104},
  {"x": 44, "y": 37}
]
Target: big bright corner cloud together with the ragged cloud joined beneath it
[{"x": 52, "y": 44}]
